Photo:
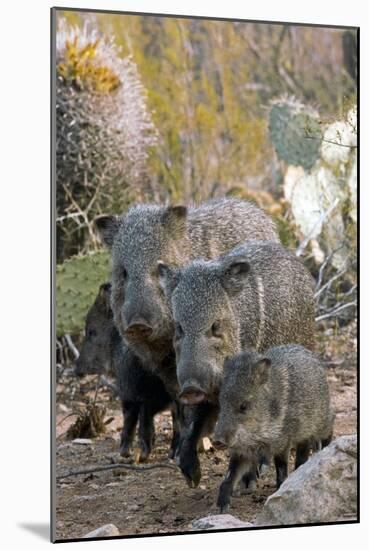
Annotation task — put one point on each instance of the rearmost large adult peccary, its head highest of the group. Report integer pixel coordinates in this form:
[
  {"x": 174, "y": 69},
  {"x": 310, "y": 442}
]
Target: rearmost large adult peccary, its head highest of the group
[{"x": 149, "y": 234}]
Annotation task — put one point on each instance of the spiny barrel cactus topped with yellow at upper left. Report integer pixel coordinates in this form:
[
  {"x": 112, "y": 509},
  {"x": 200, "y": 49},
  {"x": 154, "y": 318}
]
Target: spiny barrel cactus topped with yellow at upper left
[{"x": 104, "y": 133}]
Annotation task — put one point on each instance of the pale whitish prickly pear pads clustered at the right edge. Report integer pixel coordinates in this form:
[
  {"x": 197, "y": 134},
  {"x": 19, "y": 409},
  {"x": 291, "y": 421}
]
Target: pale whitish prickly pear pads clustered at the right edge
[{"x": 323, "y": 201}]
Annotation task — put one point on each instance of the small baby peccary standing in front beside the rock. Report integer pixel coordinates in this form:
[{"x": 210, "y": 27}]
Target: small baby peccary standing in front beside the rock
[{"x": 269, "y": 404}]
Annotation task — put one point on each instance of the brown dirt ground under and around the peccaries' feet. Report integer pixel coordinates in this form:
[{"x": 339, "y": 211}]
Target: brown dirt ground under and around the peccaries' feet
[{"x": 159, "y": 501}]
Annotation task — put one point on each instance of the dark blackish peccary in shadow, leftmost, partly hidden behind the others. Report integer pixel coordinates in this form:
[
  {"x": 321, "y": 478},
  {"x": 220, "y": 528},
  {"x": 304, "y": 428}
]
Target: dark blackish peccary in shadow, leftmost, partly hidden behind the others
[{"x": 141, "y": 392}]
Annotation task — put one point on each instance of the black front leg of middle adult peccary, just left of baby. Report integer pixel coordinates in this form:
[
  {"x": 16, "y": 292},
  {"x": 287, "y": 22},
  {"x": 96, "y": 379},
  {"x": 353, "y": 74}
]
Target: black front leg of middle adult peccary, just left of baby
[{"x": 201, "y": 421}]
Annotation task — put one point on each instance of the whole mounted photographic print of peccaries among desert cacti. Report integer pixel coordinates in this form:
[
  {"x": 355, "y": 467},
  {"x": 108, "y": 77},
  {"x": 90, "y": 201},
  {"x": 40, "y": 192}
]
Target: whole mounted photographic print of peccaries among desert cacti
[{"x": 204, "y": 310}]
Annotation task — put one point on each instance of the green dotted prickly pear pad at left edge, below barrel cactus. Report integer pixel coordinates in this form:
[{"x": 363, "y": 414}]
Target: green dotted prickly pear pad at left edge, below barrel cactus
[{"x": 77, "y": 283}]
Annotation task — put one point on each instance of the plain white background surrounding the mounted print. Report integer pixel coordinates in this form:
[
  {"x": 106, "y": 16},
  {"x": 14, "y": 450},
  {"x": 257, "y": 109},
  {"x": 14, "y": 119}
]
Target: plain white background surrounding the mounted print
[{"x": 25, "y": 184}]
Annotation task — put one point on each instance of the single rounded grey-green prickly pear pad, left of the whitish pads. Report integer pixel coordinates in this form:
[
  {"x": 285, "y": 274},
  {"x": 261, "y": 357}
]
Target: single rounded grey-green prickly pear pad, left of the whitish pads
[{"x": 295, "y": 133}]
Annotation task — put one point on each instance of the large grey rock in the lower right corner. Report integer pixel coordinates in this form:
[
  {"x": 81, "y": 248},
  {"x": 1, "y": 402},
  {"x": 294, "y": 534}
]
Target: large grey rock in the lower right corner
[{"x": 324, "y": 489}]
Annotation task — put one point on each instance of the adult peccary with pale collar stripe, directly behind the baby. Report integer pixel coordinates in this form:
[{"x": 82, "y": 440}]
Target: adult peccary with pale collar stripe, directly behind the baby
[{"x": 256, "y": 296}]
